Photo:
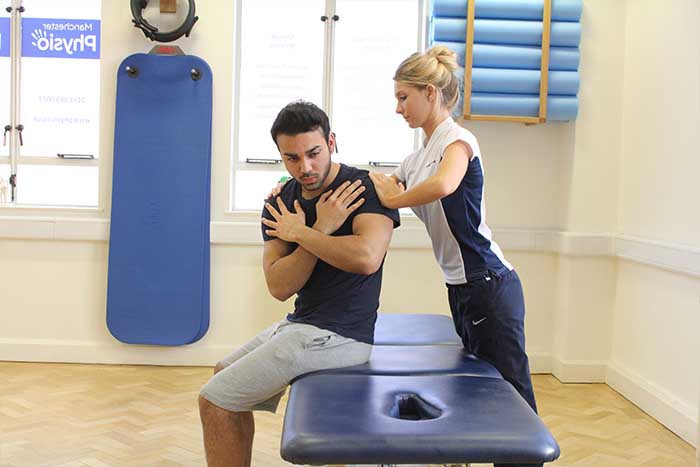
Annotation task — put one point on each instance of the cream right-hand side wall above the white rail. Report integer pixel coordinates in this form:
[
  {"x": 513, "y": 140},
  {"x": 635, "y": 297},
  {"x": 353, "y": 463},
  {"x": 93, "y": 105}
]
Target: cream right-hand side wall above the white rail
[{"x": 660, "y": 122}]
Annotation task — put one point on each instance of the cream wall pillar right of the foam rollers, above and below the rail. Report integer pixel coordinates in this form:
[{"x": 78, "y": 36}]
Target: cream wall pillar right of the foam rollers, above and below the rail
[{"x": 589, "y": 169}]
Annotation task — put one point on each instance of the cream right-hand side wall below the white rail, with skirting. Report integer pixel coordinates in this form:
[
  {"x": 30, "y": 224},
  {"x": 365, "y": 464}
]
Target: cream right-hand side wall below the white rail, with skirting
[{"x": 655, "y": 352}]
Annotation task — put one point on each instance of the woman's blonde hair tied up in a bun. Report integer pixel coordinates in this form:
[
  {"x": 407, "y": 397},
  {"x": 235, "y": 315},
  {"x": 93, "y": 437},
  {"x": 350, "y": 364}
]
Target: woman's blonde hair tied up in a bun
[{"x": 435, "y": 66}]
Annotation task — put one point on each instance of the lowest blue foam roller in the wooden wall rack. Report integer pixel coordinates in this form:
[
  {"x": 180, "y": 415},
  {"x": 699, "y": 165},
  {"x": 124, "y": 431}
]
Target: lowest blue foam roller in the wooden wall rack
[{"x": 559, "y": 108}]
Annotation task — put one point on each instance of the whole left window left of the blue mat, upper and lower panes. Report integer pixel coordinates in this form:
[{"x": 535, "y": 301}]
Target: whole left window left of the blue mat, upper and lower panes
[{"x": 58, "y": 98}]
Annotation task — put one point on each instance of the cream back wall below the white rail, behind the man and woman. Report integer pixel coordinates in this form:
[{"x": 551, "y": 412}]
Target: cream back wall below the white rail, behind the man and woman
[{"x": 54, "y": 303}]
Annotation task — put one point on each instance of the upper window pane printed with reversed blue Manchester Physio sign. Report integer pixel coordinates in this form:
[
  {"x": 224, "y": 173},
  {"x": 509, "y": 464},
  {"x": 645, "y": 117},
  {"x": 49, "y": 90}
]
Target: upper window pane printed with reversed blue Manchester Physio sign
[{"x": 61, "y": 114}]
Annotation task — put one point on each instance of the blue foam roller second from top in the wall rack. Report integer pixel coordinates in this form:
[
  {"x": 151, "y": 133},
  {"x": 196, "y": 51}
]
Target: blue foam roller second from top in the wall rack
[{"x": 491, "y": 31}]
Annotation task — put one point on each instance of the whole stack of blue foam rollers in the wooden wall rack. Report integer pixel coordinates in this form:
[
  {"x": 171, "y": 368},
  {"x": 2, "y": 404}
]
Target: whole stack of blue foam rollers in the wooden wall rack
[{"x": 507, "y": 53}]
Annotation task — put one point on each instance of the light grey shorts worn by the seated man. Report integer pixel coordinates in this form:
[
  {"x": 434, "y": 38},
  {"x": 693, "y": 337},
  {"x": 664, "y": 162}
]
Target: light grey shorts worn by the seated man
[{"x": 256, "y": 376}]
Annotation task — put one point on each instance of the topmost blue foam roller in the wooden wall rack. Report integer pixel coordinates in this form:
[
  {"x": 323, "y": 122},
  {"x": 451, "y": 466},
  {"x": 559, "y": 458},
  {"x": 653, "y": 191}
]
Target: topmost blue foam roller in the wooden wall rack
[{"x": 562, "y": 10}]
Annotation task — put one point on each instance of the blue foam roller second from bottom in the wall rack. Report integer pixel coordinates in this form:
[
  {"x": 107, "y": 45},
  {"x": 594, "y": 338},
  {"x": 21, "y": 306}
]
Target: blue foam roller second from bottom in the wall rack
[{"x": 499, "y": 80}]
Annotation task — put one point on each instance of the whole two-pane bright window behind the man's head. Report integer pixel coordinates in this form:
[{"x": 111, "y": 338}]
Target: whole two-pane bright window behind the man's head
[{"x": 288, "y": 55}]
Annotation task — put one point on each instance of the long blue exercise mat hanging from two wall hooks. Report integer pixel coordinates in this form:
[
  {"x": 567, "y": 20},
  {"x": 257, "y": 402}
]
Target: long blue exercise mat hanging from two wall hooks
[{"x": 159, "y": 249}]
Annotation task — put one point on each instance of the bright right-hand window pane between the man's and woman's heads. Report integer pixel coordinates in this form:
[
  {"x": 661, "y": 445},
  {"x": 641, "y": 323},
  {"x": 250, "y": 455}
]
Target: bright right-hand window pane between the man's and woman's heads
[{"x": 381, "y": 33}]
